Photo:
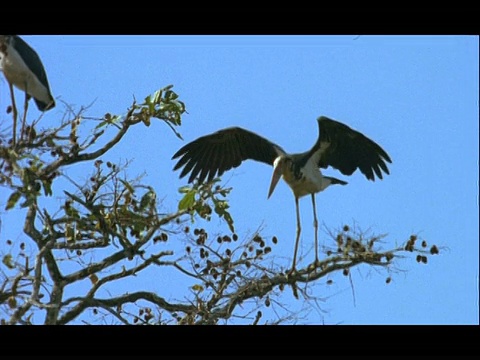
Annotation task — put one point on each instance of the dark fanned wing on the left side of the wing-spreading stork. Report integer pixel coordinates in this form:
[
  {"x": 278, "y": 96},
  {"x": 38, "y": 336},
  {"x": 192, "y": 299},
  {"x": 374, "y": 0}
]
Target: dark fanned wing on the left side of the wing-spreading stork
[{"x": 211, "y": 155}]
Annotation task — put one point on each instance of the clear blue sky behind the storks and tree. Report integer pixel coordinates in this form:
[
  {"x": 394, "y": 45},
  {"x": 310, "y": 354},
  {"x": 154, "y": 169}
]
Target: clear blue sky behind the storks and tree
[{"x": 417, "y": 96}]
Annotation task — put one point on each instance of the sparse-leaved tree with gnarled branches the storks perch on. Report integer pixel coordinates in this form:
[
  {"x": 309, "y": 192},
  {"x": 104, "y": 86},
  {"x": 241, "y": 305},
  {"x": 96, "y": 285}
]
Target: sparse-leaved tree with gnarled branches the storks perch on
[{"x": 110, "y": 229}]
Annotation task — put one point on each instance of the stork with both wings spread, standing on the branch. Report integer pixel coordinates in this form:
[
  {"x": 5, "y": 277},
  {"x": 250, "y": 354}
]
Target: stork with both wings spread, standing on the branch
[{"x": 338, "y": 146}]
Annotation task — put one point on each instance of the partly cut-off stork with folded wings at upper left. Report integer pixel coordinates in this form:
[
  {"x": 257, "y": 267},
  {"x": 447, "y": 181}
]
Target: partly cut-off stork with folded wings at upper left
[{"x": 23, "y": 69}]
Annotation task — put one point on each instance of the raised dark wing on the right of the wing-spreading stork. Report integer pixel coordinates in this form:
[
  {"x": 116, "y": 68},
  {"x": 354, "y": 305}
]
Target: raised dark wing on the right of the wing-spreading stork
[{"x": 348, "y": 150}]
